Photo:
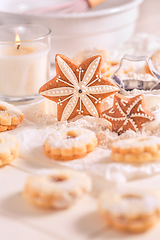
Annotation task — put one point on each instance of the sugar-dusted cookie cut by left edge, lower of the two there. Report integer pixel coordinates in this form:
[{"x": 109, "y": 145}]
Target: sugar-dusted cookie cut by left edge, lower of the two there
[{"x": 8, "y": 148}]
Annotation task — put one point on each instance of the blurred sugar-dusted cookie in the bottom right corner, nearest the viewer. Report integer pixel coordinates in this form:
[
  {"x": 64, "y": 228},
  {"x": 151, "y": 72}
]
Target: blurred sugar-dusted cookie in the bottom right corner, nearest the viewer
[{"x": 131, "y": 210}]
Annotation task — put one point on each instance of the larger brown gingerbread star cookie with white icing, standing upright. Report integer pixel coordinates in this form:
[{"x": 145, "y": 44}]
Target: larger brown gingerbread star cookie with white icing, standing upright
[{"x": 78, "y": 89}]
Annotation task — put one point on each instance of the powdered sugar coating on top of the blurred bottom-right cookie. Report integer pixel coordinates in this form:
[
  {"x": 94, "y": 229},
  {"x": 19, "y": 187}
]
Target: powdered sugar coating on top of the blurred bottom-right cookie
[{"x": 130, "y": 203}]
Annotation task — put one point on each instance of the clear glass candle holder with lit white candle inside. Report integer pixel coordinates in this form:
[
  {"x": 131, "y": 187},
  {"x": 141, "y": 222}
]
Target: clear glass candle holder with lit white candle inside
[{"x": 24, "y": 61}]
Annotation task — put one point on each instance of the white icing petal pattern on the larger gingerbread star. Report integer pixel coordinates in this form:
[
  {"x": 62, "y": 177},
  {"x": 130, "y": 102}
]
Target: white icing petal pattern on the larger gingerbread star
[{"x": 79, "y": 89}]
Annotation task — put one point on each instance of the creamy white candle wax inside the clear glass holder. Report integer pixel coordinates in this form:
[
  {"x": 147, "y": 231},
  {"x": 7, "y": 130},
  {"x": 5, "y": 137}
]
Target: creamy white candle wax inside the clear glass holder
[{"x": 23, "y": 71}]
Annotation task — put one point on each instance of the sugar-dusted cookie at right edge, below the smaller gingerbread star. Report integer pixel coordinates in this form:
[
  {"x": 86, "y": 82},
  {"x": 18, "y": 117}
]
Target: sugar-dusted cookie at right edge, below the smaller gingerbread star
[{"x": 136, "y": 150}]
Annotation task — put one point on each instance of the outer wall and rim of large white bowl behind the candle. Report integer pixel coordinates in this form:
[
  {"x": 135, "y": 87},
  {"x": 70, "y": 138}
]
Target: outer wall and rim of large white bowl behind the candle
[{"x": 107, "y": 25}]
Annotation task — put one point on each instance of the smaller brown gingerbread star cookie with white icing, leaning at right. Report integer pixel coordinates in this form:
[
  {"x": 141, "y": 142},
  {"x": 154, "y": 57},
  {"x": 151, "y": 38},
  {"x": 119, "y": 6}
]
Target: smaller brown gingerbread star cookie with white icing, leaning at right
[{"x": 127, "y": 113}]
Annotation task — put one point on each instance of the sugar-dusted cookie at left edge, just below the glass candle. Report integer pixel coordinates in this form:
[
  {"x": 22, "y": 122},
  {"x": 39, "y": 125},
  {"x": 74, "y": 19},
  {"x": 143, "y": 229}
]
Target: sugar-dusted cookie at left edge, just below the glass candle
[{"x": 10, "y": 116}]
